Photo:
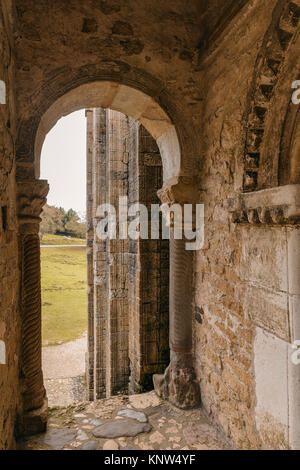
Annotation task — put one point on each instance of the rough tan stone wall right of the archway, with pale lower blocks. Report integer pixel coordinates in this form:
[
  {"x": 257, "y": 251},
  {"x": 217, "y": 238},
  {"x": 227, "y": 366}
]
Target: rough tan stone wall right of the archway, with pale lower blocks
[{"x": 241, "y": 323}]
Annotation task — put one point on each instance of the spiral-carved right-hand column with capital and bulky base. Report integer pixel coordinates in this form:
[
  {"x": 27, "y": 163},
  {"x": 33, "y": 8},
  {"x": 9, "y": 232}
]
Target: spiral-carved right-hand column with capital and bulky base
[{"x": 179, "y": 384}]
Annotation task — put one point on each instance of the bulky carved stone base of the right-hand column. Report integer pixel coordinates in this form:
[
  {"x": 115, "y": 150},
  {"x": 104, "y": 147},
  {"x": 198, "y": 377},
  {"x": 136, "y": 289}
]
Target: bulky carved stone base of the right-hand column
[{"x": 178, "y": 385}]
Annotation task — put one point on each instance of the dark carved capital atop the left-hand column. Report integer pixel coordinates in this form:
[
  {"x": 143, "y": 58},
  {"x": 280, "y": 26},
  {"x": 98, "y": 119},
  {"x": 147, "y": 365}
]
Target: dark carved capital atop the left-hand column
[{"x": 31, "y": 197}]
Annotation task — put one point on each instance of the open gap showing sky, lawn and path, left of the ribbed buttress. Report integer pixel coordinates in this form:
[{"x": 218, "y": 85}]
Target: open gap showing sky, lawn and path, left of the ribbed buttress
[{"x": 63, "y": 262}]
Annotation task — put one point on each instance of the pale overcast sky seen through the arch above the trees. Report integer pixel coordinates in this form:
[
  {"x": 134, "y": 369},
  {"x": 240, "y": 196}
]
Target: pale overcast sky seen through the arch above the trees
[{"x": 63, "y": 162}]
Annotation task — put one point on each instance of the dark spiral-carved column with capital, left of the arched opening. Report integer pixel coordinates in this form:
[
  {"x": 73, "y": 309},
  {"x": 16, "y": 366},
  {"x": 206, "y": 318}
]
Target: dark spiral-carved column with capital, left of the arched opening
[{"x": 31, "y": 199}]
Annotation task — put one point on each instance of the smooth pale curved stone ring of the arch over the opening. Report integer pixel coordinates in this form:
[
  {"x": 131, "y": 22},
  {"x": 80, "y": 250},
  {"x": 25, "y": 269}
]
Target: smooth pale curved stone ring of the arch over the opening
[{"x": 124, "y": 99}]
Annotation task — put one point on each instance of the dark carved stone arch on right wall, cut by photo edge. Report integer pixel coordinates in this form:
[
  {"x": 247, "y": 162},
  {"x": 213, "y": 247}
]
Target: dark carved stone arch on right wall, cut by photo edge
[{"x": 277, "y": 67}]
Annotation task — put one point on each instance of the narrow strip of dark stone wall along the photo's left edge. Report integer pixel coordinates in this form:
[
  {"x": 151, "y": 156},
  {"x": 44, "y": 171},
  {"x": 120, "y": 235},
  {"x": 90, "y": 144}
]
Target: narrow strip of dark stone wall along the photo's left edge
[{"x": 9, "y": 281}]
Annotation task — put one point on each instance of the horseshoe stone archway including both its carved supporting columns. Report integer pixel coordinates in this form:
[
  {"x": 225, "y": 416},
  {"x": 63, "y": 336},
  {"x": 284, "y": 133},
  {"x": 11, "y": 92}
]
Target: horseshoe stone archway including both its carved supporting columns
[{"x": 178, "y": 384}]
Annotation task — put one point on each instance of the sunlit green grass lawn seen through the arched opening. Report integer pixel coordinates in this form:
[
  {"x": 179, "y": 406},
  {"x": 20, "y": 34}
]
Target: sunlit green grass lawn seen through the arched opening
[{"x": 64, "y": 302}]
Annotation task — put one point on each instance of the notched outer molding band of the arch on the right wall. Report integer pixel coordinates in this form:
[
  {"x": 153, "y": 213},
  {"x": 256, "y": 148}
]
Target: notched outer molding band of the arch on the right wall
[{"x": 268, "y": 68}]
